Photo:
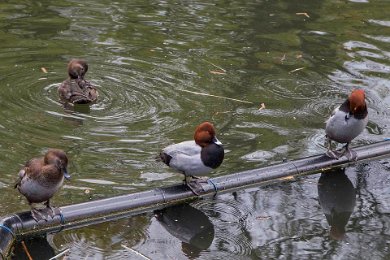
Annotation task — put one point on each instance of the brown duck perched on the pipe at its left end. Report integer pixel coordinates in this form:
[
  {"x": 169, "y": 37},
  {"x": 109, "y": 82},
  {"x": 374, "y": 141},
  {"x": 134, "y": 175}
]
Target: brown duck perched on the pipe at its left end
[{"x": 41, "y": 178}]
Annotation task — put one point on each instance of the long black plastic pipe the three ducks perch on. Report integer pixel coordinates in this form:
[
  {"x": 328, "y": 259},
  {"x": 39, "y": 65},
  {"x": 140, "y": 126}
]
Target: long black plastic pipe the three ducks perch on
[{"x": 22, "y": 225}]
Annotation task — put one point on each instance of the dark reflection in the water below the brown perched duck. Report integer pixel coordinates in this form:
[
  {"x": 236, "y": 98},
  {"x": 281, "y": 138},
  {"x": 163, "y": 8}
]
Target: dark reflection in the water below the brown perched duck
[{"x": 38, "y": 248}]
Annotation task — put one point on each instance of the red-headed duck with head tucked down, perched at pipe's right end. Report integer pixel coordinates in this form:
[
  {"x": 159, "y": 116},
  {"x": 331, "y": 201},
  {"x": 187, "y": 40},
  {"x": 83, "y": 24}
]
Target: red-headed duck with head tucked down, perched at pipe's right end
[{"x": 345, "y": 123}]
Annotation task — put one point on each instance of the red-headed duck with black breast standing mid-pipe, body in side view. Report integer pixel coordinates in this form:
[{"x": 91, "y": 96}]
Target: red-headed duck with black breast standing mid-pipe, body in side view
[{"x": 195, "y": 158}]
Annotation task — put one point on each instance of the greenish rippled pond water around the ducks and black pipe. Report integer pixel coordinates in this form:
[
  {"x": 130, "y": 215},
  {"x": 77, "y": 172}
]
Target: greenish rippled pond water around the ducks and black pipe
[{"x": 149, "y": 60}]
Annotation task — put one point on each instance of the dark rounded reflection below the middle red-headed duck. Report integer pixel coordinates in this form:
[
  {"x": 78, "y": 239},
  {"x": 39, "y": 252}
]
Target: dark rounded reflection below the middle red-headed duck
[{"x": 189, "y": 225}]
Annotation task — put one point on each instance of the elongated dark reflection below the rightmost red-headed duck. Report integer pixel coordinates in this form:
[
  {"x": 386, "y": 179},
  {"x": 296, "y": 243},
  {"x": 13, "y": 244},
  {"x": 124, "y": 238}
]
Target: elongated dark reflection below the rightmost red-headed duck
[{"x": 337, "y": 197}]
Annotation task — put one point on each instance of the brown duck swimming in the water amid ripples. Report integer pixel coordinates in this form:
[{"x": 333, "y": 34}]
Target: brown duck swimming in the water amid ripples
[{"x": 75, "y": 89}]
